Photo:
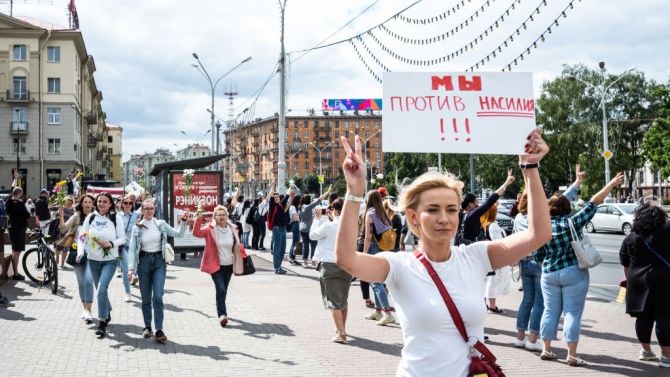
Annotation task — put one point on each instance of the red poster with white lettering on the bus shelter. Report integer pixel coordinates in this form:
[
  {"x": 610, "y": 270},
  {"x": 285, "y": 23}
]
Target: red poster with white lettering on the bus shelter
[{"x": 205, "y": 191}]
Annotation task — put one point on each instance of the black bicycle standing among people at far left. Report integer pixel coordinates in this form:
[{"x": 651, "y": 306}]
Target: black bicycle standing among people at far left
[{"x": 40, "y": 263}]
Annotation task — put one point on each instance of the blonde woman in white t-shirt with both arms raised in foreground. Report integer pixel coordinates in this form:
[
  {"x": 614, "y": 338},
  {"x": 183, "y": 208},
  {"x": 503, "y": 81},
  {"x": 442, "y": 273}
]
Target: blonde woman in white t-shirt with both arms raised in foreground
[{"x": 431, "y": 203}]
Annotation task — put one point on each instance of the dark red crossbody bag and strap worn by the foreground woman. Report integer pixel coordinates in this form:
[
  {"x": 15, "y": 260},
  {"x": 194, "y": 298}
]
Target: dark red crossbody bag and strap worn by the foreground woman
[{"x": 480, "y": 366}]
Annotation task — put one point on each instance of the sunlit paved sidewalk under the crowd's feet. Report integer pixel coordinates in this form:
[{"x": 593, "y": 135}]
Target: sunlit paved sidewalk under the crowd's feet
[{"x": 278, "y": 327}]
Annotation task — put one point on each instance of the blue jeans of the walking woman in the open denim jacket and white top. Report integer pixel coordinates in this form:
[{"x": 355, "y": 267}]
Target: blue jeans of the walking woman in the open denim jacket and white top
[{"x": 151, "y": 270}]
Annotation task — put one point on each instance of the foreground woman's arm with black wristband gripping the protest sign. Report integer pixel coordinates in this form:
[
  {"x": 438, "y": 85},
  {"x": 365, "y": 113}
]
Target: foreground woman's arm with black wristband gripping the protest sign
[{"x": 516, "y": 246}]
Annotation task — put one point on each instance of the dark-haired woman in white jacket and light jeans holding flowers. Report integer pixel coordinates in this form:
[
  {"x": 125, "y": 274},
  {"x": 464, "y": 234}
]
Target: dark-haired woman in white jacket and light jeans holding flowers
[{"x": 101, "y": 236}]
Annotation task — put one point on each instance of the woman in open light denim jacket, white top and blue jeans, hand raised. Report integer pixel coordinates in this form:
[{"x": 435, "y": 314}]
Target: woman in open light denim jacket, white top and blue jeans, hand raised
[{"x": 145, "y": 253}]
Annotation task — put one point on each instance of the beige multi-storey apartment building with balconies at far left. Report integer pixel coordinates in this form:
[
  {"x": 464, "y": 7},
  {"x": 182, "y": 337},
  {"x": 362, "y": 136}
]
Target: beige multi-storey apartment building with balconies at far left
[{"x": 49, "y": 105}]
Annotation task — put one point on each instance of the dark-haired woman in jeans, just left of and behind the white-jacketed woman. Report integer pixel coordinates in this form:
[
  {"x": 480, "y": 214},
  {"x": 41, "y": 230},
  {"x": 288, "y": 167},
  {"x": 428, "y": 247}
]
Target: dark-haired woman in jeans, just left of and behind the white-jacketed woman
[{"x": 81, "y": 270}]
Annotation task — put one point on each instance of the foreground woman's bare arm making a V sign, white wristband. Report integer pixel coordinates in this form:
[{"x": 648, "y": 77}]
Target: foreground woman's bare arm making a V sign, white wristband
[{"x": 364, "y": 266}]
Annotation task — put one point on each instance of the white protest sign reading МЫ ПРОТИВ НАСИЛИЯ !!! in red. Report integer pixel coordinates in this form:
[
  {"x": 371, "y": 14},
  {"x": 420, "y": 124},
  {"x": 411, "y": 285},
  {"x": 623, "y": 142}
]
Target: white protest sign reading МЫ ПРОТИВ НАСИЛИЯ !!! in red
[{"x": 483, "y": 113}]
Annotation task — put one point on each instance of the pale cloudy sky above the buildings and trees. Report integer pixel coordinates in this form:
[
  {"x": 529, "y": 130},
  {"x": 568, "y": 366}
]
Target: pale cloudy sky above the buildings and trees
[{"x": 143, "y": 50}]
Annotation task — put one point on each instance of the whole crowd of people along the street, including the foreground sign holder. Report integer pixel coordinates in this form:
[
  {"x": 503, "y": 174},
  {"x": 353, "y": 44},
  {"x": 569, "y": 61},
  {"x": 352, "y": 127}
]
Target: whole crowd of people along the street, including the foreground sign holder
[{"x": 433, "y": 230}]
